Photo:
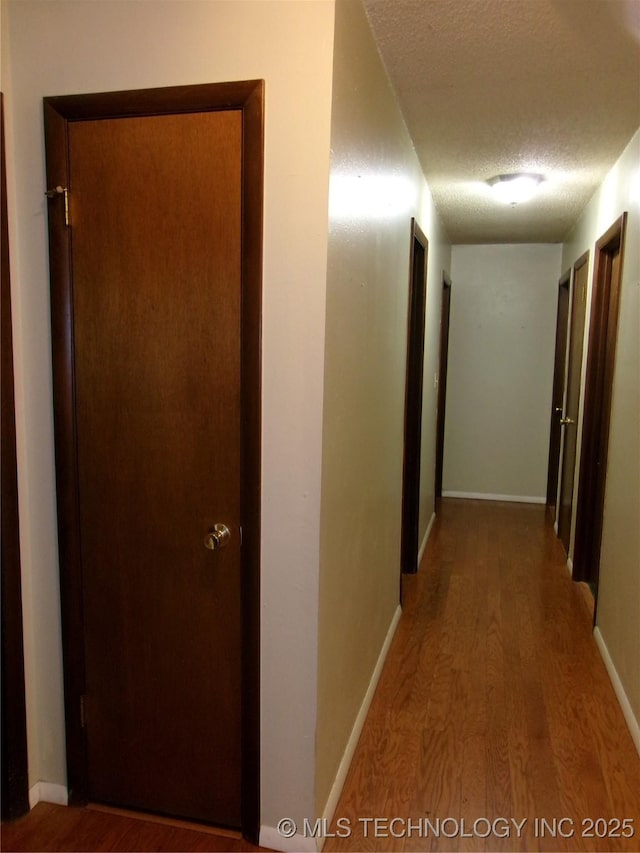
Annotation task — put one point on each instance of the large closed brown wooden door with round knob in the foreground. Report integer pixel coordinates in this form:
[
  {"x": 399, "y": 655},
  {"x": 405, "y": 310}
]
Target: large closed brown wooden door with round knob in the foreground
[{"x": 155, "y": 208}]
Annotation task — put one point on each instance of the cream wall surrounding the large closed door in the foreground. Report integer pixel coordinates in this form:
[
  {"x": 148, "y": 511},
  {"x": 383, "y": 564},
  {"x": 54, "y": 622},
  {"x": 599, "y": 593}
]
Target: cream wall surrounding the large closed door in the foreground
[{"x": 65, "y": 46}]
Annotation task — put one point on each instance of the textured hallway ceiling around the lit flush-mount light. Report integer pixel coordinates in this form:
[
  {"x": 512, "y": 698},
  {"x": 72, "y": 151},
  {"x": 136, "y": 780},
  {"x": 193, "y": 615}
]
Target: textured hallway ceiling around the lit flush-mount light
[{"x": 495, "y": 86}]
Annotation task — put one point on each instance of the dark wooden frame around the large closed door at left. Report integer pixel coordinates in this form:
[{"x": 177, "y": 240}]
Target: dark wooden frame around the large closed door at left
[{"x": 247, "y": 97}]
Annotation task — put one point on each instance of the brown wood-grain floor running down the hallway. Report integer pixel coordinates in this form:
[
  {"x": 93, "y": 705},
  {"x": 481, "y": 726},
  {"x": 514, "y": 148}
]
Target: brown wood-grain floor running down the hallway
[{"x": 494, "y": 705}]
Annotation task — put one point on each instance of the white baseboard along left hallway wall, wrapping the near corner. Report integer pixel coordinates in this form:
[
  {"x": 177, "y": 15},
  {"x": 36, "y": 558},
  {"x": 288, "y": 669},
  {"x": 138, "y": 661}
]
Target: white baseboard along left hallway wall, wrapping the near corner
[{"x": 269, "y": 835}]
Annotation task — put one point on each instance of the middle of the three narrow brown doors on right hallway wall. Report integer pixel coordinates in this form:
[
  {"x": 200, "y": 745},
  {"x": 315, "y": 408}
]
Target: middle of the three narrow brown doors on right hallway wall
[{"x": 572, "y": 404}]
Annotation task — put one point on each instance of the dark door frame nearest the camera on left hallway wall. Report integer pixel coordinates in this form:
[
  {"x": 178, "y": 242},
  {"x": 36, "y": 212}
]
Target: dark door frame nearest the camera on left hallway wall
[{"x": 413, "y": 403}]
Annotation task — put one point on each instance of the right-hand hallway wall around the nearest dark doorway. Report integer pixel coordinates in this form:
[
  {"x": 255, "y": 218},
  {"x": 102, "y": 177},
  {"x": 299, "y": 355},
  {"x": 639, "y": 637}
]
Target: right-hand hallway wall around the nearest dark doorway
[{"x": 618, "y": 615}]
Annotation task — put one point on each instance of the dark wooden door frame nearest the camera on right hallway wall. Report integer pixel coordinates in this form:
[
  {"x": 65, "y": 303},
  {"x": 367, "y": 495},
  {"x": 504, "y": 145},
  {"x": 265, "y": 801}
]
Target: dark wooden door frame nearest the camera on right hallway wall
[{"x": 603, "y": 324}]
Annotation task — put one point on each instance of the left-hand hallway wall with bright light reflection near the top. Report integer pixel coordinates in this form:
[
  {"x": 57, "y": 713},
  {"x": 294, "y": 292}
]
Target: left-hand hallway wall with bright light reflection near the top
[{"x": 376, "y": 187}]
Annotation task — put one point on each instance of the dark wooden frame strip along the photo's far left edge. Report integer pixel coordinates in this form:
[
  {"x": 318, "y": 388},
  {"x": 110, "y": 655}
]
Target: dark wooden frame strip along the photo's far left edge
[{"x": 15, "y": 775}]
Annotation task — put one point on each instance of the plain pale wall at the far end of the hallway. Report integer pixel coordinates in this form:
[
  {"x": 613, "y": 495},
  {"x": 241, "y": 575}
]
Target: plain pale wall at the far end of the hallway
[{"x": 500, "y": 370}]
